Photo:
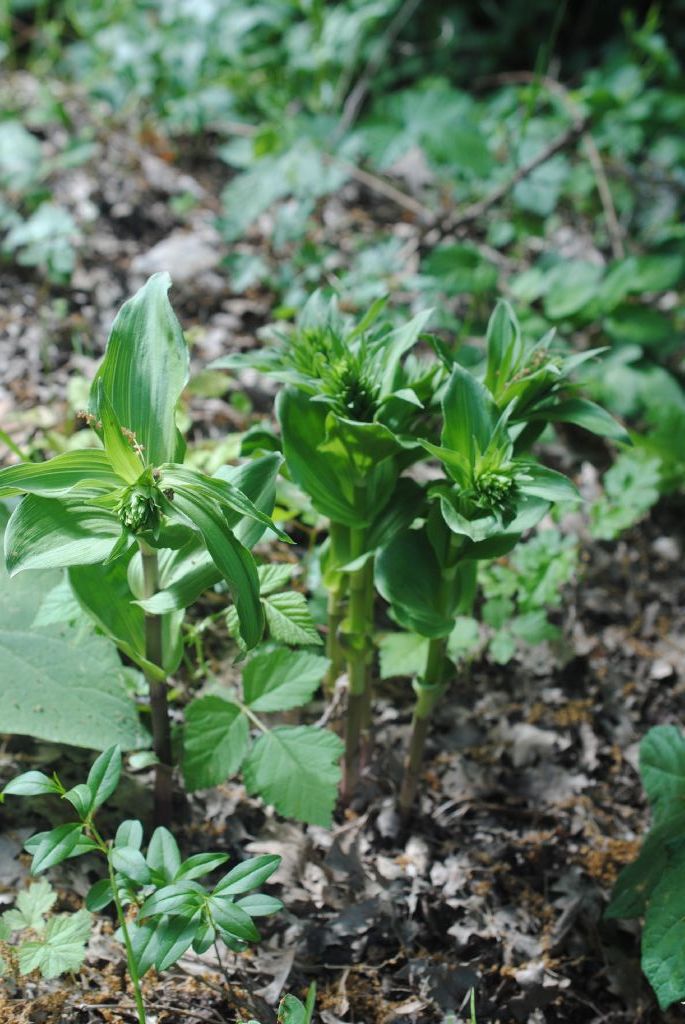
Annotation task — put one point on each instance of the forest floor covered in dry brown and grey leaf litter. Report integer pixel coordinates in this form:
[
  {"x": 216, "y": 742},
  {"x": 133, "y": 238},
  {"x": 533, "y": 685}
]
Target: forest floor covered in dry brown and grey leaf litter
[{"x": 531, "y": 800}]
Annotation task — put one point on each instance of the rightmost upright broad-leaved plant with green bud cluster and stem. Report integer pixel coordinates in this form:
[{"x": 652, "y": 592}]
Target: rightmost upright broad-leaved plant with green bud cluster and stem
[{"x": 493, "y": 492}]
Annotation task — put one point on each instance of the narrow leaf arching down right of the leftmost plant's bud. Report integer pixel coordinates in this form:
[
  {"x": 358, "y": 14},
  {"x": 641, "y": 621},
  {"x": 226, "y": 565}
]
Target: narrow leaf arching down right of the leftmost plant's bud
[{"x": 234, "y": 562}]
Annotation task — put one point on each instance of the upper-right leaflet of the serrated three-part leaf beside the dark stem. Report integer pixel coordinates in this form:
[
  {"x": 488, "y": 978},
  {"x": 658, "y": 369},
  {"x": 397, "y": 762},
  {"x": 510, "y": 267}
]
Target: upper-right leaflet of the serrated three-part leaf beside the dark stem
[{"x": 279, "y": 680}]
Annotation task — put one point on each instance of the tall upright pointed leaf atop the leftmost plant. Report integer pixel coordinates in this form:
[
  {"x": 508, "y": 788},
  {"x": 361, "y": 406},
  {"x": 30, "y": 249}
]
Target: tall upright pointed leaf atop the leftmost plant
[{"x": 145, "y": 371}]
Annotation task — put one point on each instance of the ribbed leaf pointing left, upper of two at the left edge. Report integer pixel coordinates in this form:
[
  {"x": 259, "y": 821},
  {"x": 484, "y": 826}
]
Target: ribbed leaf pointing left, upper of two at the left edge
[{"x": 58, "y": 477}]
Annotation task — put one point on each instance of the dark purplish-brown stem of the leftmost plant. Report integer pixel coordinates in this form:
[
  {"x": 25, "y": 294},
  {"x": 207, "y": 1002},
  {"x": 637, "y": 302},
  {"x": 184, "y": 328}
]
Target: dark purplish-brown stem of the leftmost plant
[{"x": 158, "y": 695}]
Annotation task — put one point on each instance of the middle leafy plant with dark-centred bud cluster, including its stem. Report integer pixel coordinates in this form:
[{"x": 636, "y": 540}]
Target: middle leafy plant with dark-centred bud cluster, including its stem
[{"x": 355, "y": 403}]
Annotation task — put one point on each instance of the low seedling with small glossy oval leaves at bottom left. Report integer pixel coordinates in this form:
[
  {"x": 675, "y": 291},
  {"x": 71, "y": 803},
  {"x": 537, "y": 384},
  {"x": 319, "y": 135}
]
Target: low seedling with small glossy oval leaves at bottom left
[{"x": 161, "y": 906}]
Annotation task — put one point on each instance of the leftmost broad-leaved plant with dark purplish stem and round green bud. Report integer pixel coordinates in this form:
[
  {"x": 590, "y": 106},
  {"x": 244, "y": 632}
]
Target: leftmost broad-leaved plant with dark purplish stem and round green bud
[{"x": 122, "y": 518}]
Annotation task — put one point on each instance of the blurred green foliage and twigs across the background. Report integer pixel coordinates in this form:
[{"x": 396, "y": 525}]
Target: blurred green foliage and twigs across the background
[{"x": 441, "y": 154}]
